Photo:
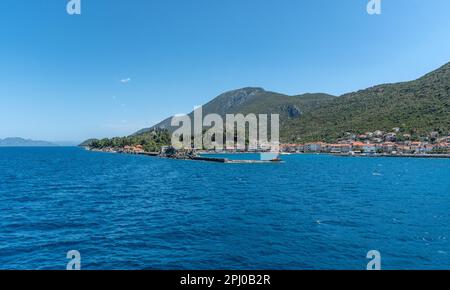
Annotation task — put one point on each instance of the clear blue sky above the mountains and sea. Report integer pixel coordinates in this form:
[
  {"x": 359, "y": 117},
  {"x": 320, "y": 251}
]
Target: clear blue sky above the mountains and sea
[{"x": 123, "y": 65}]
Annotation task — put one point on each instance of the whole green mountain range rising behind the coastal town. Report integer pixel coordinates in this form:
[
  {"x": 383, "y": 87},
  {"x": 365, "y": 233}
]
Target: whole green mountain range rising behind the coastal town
[{"x": 416, "y": 107}]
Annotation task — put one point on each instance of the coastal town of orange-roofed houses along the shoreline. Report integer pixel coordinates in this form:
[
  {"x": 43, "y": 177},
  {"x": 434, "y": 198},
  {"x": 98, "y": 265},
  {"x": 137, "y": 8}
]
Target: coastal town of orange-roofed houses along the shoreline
[{"x": 377, "y": 143}]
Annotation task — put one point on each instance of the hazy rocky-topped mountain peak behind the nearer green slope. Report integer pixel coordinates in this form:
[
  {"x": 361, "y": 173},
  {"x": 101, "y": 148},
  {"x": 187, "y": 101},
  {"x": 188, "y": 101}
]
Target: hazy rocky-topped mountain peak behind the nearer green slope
[{"x": 258, "y": 101}]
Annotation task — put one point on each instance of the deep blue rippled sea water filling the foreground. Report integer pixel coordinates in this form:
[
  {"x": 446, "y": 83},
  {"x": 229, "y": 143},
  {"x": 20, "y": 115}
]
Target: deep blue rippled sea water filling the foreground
[{"x": 136, "y": 212}]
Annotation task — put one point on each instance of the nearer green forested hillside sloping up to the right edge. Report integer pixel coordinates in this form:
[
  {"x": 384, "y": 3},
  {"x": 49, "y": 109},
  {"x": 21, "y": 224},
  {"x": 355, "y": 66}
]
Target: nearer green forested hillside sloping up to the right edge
[{"x": 416, "y": 107}]
